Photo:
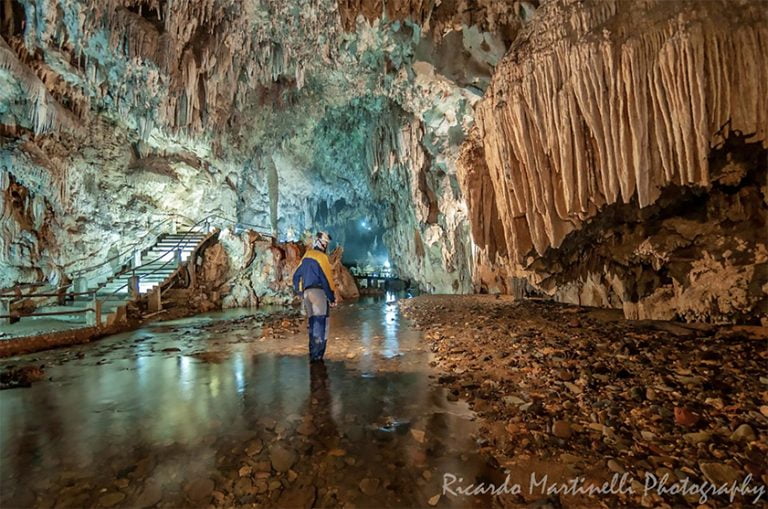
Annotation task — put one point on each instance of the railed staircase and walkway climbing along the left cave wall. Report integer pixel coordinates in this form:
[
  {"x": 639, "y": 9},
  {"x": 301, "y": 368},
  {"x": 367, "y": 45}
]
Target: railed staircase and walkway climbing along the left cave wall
[{"x": 99, "y": 295}]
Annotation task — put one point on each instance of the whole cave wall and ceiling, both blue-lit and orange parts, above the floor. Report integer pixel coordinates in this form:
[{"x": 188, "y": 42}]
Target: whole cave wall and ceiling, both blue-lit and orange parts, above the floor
[{"x": 608, "y": 153}]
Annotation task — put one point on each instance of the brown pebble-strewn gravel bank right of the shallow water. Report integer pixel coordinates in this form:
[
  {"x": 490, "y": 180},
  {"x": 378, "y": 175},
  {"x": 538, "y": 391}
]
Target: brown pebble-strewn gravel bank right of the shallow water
[{"x": 601, "y": 396}]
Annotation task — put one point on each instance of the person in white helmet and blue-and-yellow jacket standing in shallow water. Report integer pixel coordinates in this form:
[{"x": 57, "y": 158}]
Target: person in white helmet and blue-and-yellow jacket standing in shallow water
[{"x": 314, "y": 280}]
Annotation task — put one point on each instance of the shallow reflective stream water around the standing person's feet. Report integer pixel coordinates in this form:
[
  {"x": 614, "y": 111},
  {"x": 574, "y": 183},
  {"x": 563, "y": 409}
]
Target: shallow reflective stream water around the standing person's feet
[{"x": 127, "y": 415}]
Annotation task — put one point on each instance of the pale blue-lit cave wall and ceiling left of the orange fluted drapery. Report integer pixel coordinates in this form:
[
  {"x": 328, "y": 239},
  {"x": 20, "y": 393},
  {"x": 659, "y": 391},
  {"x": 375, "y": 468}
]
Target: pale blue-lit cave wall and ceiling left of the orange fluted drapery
[{"x": 290, "y": 117}]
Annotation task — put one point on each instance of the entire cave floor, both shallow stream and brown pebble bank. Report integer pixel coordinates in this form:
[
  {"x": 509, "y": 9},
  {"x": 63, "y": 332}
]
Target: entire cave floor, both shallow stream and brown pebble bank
[{"x": 224, "y": 410}]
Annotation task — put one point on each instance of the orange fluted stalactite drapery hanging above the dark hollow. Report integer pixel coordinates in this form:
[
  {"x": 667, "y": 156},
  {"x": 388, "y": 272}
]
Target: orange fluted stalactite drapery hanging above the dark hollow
[{"x": 572, "y": 123}]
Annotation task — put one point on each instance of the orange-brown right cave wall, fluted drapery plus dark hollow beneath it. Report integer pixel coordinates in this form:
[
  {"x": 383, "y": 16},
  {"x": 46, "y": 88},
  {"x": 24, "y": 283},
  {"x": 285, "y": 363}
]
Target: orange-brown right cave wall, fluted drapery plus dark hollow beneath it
[{"x": 622, "y": 147}]
